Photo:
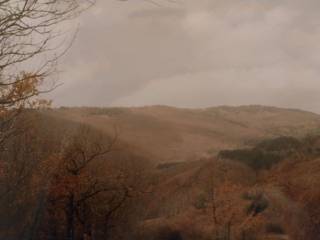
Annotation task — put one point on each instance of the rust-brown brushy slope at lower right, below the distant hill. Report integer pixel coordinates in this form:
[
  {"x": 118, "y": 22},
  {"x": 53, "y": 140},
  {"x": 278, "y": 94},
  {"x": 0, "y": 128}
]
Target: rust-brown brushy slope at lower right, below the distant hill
[{"x": 280, "y": 202}]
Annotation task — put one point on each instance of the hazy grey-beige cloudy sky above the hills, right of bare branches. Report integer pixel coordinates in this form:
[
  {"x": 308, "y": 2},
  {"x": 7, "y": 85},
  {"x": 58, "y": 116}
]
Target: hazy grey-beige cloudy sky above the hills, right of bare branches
[{"x": 195, "y": 53}]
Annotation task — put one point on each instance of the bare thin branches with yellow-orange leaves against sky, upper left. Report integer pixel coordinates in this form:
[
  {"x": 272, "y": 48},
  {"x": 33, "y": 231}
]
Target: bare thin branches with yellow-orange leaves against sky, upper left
[{"x": 30, "y": 45}]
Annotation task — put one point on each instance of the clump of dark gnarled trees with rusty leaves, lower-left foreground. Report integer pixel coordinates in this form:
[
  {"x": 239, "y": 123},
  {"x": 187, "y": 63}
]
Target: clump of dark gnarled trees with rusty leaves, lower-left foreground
[{"x": 92, "y": 192}]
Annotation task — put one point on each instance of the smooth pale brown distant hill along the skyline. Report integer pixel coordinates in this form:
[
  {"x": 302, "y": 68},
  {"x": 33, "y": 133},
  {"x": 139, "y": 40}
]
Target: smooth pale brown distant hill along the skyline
[{"x": 167, "y": 134}]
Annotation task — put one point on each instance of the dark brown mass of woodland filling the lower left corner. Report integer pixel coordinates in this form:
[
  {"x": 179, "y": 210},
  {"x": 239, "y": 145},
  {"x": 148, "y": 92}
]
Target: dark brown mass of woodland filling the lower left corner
[{"x": 63, "y": 181}]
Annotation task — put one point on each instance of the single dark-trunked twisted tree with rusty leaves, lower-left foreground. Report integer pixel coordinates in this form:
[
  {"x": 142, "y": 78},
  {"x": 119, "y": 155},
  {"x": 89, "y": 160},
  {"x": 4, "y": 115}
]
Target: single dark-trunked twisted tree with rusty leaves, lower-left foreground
[{"x": 74, "y": 185}]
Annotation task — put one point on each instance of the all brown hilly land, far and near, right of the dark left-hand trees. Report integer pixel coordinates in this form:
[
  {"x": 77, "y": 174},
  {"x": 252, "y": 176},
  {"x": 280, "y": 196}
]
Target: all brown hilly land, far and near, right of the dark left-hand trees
[{"x": 187, "y": 174}]
